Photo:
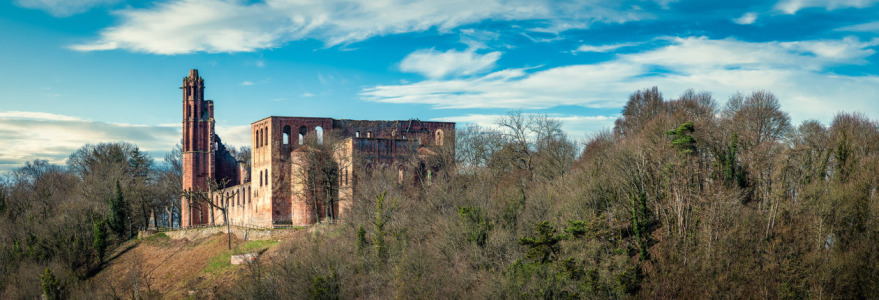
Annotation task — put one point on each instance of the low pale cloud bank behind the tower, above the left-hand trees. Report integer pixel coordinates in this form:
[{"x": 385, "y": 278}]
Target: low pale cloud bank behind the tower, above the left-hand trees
[{"x": 37, "y": 135}]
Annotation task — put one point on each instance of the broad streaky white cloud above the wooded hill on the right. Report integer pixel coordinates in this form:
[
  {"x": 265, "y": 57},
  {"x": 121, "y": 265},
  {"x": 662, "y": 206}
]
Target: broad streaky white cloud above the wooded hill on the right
[{"x": 796, "y": 71}]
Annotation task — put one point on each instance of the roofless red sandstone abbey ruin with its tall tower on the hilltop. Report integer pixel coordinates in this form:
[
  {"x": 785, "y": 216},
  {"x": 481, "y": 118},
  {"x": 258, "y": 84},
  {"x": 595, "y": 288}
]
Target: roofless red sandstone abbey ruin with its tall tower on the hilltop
[{"x": 302, "y": 170}]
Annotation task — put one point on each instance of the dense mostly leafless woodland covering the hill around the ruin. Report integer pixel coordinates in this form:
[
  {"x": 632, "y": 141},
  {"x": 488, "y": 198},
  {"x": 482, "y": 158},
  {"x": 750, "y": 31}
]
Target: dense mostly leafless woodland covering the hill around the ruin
[{"x": 683, "y": 198}]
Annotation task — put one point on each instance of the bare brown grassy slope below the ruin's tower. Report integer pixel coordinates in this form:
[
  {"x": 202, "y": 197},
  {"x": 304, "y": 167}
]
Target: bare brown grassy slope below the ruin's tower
[{"x": 158, "y": 266}]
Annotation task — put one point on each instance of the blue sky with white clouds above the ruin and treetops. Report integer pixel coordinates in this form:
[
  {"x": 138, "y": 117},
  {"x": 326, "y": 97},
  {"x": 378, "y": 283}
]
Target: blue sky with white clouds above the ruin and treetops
[{"x": 80, "y": 71}]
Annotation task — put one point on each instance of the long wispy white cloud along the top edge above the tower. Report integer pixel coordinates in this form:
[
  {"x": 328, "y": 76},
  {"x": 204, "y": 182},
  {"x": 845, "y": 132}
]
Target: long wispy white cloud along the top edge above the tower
[{"x": 185, "y": 26}]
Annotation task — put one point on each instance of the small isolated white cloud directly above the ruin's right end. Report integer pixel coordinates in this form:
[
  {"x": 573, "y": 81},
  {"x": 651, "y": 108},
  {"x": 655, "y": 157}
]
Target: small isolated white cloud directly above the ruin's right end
[{"x": 435, "y": 64}]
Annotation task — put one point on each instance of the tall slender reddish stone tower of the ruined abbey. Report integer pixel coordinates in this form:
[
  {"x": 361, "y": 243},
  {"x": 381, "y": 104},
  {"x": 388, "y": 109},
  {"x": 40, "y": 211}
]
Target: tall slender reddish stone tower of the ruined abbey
[{"x": 198, "y": 150}]
